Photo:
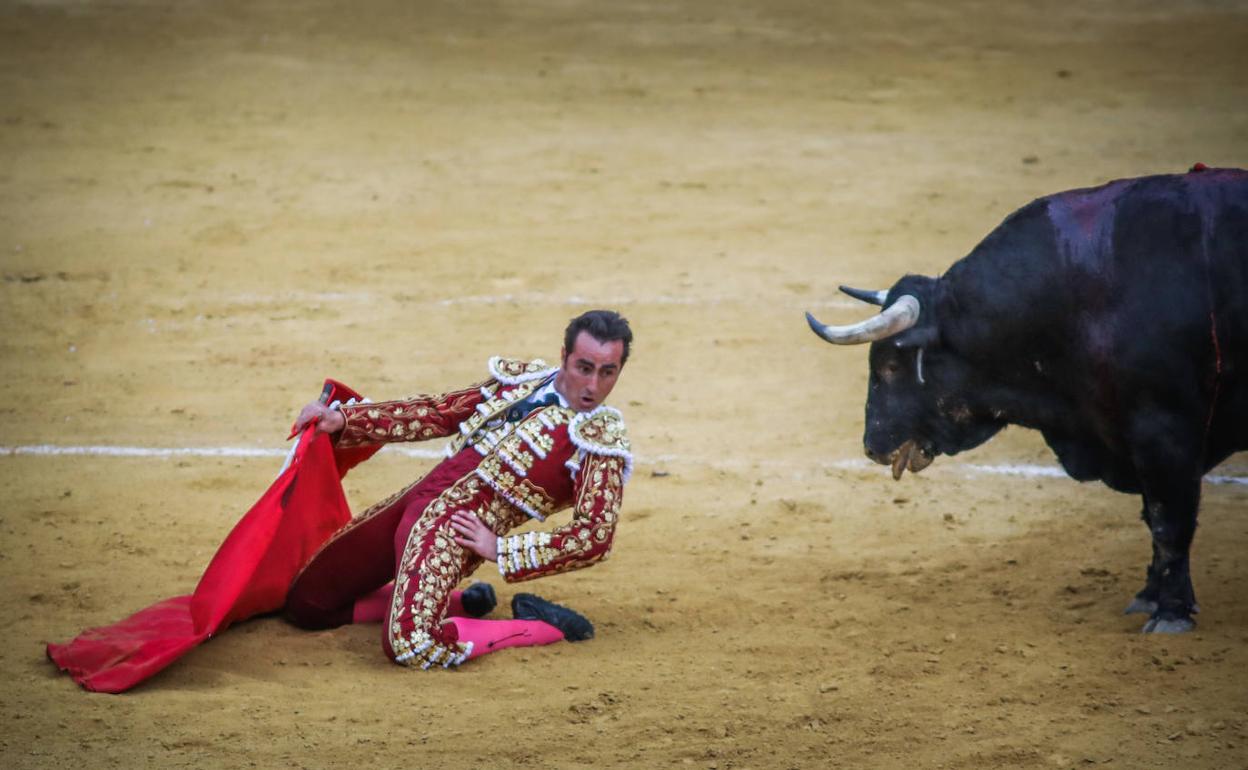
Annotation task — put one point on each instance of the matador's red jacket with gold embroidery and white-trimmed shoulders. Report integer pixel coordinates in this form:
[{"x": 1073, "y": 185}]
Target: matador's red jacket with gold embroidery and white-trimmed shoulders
[{"x": 550, "y": 460}]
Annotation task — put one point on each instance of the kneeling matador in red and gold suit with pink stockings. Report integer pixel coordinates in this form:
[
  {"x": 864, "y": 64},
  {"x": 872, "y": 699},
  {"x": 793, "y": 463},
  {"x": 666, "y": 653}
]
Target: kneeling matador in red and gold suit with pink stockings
[{"x": 530, "y": 441}]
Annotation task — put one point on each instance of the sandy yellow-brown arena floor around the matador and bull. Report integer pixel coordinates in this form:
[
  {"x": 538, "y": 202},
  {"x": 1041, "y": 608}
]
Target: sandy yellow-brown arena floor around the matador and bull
[{"x": 208, "y": 208}]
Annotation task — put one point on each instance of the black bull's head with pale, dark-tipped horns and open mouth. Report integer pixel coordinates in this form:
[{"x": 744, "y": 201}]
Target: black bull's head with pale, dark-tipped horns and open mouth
[{"x": 920, "y": 394}]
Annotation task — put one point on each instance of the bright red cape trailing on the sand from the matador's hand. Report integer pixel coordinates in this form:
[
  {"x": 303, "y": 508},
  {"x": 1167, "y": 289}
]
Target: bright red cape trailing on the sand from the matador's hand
[{"x": 250, "y": 573}]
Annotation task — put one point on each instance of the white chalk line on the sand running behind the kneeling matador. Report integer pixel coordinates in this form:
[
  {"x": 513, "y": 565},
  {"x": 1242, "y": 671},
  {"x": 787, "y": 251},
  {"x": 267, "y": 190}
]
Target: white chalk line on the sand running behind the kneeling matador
[{"x": 1024, "y": 471}]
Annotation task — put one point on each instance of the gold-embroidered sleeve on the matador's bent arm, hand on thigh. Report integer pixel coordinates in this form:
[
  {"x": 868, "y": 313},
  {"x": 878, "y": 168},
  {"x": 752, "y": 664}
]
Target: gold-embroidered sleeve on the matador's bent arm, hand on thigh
[{"x": 580, "y": 543}]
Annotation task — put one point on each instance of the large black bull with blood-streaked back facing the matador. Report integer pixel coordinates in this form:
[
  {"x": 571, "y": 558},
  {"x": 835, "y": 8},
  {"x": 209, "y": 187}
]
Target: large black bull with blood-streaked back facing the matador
[{"x": 1113, "y": 320}]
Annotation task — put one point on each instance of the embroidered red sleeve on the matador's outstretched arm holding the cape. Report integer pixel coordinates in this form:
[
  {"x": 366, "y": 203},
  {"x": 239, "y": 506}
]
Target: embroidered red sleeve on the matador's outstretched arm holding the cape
[{"x": 416, "y": 419}]
